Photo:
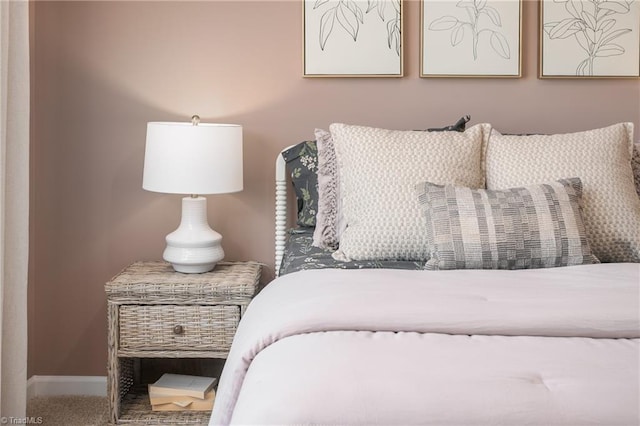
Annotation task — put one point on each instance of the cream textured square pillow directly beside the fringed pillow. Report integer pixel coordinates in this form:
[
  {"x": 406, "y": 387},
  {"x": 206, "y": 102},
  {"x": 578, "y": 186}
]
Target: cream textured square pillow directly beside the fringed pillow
[{"x": 378, "y": 170}]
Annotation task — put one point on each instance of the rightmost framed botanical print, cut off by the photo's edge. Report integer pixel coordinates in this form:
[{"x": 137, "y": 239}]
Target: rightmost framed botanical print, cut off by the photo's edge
[{"x": 589, "y": 38}]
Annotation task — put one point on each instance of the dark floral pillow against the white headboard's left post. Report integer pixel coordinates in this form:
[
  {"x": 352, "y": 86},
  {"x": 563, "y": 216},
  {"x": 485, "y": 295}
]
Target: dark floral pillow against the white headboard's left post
[{"x": 302, "y": 163}]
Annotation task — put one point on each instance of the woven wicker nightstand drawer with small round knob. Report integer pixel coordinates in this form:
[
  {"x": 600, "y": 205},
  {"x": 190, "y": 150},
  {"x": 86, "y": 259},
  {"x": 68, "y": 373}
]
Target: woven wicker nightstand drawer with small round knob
[{"x": 178, "y": 327}]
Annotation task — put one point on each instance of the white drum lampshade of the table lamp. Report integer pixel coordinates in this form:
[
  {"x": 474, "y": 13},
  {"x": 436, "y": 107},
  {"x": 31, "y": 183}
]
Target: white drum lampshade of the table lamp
[{"x": 182, "y": 158}]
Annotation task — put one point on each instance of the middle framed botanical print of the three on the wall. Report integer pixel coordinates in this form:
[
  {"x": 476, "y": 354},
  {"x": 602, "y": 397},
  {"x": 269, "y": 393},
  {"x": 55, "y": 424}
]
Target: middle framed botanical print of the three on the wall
[{"x": 470, "y": 38}]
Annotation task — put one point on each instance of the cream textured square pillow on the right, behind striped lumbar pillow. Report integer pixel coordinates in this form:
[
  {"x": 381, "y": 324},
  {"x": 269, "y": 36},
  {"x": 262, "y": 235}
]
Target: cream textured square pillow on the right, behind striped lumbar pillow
[{"x": 602, "y": 160}]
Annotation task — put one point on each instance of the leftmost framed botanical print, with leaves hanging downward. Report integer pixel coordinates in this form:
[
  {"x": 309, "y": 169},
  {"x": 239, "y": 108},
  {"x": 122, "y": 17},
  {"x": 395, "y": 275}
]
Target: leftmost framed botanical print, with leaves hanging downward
[{"x": 353, "y": 38}]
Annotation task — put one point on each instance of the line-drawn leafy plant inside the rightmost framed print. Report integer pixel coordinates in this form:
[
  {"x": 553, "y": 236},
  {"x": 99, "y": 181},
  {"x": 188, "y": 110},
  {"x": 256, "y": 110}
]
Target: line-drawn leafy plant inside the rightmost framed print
[{"x": 592, "y": 24}]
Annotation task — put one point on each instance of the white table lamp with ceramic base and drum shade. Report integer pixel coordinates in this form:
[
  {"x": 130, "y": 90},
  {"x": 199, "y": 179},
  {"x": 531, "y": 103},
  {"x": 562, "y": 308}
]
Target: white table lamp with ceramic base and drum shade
[{"x": 193, "y": 159}]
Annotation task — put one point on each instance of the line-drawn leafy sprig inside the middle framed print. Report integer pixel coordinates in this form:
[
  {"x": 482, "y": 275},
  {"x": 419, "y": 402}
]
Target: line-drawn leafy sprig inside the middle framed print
[{"x": 482, "y": 18}]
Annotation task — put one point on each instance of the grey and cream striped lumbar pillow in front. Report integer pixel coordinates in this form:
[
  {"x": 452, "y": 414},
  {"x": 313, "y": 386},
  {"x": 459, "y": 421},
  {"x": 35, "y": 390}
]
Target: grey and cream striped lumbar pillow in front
[{"x": 538, "y": 226}]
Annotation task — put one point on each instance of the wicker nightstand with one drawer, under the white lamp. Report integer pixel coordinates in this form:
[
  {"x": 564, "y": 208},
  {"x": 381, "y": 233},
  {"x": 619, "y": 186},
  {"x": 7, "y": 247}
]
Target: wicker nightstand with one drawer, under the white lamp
[{"x": 154, "y": 312}]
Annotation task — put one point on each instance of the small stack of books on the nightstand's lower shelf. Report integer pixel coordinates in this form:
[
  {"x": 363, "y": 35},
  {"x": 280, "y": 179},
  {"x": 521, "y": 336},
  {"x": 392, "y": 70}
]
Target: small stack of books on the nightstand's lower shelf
[{"x": 180, "y": 392}]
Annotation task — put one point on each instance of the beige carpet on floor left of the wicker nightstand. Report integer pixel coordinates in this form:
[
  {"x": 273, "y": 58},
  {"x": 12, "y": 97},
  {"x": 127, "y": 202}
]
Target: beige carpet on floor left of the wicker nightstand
[{"x": 69, "y": 410}]
